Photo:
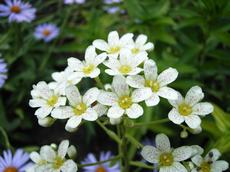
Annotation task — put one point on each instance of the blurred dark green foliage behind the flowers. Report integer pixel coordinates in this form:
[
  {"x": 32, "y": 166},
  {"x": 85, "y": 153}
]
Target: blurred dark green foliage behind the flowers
[{"x": 191, "y": 36}]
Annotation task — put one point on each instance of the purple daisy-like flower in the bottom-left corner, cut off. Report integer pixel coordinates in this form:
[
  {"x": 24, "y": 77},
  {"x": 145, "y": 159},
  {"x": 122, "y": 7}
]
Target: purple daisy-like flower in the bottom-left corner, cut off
[{"x": 14, "y": 163}]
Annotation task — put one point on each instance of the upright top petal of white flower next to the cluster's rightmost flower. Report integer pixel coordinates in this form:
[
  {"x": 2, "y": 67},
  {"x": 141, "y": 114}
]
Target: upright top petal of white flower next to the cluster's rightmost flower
[{"x": 150, "y": 70}]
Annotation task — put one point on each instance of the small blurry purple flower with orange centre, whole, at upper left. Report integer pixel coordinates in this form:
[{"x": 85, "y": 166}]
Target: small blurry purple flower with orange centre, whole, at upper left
[{"x": 46, "y": 32}]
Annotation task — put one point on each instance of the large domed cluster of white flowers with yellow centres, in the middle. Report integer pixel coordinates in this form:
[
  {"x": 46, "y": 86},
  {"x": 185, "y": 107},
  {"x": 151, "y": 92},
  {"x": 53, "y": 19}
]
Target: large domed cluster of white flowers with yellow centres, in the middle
[{"x": 135, "y": 79}]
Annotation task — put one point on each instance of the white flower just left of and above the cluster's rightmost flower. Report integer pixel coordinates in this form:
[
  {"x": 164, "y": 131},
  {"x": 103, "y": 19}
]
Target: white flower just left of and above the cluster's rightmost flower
[{"x": 157, "y": 83}]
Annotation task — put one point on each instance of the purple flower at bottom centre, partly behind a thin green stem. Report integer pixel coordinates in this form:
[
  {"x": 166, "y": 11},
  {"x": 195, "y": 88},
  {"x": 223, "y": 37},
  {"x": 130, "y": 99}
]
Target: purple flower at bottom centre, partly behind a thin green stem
[{"x": 105, "y": 167}]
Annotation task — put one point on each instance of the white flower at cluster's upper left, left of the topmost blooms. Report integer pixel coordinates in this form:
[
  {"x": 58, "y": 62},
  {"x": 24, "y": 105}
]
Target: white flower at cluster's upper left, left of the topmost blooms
[{"x": 87, "y": 68}]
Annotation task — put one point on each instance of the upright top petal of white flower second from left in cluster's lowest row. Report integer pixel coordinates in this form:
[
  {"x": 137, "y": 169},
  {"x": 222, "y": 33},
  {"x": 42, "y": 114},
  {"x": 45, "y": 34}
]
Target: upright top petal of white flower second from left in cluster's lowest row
[{"x": 73, "y": 95}]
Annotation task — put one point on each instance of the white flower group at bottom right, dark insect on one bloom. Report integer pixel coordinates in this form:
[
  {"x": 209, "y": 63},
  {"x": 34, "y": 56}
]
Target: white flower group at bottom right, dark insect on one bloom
[{"x": 170, "y": 159}]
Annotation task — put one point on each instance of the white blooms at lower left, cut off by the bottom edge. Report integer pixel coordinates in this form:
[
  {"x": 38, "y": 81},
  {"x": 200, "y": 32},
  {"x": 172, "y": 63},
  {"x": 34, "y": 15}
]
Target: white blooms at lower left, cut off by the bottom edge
[{"x": 50, "y": 160}]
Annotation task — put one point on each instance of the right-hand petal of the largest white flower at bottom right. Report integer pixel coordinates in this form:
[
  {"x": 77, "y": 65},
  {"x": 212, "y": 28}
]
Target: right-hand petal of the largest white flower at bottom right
[{"x": 182, "y": 153}]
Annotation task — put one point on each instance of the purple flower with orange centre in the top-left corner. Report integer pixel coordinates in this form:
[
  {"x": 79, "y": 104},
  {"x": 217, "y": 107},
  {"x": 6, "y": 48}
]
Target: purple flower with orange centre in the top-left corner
[{"x": 17, "y": 11}]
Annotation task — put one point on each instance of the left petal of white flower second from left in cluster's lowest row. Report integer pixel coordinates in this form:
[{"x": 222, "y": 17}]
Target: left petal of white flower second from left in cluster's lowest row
[{"x": 62, "y": 112}]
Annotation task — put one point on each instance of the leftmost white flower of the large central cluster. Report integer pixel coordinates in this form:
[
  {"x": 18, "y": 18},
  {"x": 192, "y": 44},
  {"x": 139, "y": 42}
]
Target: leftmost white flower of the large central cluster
[{"x": 45, "y": 99}]
